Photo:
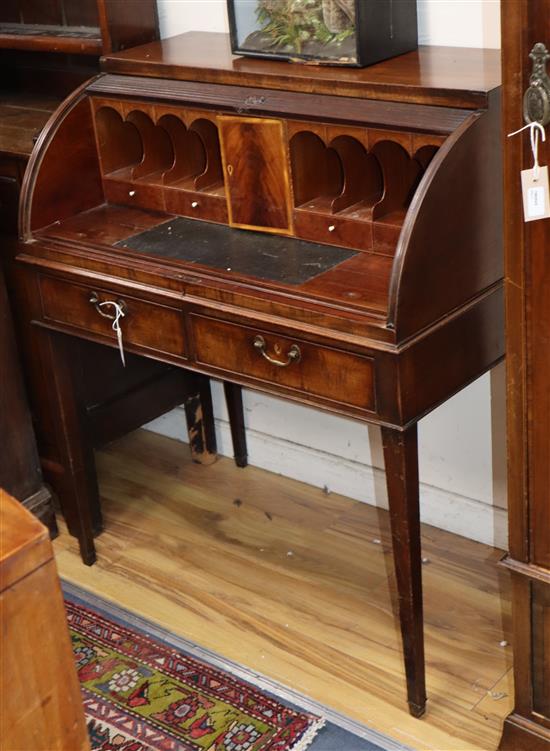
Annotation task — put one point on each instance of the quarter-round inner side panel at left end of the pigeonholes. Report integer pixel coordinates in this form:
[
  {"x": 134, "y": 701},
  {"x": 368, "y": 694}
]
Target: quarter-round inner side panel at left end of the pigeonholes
[{"x": 52, "y": 190}]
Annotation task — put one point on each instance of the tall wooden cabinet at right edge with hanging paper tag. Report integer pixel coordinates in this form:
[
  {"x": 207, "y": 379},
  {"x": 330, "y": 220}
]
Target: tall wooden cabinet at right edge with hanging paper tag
[{"x": 525, "y": 24}]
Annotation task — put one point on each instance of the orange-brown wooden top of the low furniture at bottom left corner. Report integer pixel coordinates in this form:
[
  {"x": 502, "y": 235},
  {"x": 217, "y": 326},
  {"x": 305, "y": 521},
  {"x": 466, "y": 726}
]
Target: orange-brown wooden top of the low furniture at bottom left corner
[{"x": 24, "y": 542}]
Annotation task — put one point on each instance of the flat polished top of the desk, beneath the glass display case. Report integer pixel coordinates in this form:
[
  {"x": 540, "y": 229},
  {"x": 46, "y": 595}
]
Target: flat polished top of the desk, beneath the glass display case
[{"x": 450, "y": 76}]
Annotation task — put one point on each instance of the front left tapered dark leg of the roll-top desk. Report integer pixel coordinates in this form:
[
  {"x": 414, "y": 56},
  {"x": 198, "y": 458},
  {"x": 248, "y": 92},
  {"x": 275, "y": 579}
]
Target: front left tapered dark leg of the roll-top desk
[{"x": 80, "y": 494}]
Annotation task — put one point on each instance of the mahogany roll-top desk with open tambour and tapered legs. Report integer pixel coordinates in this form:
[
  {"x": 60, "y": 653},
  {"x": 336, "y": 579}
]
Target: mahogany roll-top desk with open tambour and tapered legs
[{"x": 329, "y": 236}]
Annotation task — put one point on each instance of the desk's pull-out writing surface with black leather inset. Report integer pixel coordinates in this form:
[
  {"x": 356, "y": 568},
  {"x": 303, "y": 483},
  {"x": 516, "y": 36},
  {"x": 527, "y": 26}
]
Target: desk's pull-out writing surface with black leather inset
[{"x": 354, "y": 280}]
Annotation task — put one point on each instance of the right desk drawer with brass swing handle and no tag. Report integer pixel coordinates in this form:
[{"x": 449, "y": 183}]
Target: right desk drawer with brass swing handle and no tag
[{"x": 323, "y": 372}]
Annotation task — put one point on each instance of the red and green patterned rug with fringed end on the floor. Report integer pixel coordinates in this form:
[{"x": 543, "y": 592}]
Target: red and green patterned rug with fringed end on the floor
[{"x": 145, "y": 689}]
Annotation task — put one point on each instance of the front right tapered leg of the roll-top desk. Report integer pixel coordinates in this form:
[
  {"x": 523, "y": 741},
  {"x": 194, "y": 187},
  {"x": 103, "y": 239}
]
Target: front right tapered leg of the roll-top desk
[{"x": 401, "y": 460}]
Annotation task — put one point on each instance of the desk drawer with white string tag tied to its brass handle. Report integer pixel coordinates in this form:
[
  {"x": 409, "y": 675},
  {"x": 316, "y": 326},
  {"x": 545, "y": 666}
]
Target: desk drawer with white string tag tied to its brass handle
[{"x": 150, "y": 326}]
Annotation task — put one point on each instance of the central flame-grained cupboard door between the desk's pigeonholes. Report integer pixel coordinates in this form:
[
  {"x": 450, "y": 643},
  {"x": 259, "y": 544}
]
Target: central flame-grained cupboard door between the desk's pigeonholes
[{"x": 256, "y": 173}]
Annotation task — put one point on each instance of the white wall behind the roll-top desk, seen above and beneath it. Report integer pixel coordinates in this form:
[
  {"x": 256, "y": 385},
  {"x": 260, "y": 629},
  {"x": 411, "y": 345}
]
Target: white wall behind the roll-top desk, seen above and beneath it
[{"x": 462, "y": 462}]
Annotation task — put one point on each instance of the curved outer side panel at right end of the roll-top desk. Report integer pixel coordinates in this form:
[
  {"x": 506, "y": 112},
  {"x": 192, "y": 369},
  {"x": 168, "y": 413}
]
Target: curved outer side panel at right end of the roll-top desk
[{"x": 450, "y": 248}]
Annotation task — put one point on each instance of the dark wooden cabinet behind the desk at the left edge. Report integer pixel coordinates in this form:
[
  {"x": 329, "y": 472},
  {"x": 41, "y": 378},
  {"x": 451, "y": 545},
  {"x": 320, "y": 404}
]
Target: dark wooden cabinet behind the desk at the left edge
[{"x": 46, "y": 49}]
